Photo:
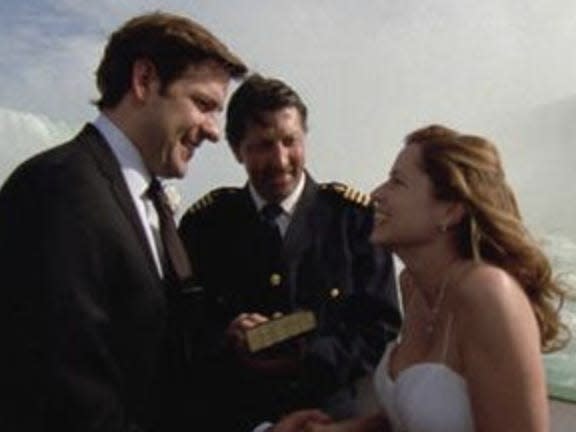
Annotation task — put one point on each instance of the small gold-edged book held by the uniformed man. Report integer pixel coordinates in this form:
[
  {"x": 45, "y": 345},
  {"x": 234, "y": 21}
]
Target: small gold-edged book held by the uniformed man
[{"x": 280, "y": 329}]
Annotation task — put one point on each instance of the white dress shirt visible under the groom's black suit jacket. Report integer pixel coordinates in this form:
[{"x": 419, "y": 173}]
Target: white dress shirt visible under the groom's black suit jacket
[{"x": 137, "y": 179}]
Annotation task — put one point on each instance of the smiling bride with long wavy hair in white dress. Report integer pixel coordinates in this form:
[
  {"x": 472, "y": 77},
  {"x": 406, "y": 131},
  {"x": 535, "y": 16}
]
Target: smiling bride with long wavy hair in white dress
[{"x": 480, "y": 303}]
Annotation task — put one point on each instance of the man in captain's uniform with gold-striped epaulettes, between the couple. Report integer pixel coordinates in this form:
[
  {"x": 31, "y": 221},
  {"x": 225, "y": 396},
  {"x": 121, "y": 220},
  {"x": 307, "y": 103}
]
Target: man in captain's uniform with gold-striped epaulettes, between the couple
[{"x": 310, "y": 252}]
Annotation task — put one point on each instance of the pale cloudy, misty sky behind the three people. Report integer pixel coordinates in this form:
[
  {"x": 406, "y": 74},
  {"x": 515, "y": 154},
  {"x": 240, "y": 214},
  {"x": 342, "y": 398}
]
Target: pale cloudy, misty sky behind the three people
[{"x": 370, "y": 71}]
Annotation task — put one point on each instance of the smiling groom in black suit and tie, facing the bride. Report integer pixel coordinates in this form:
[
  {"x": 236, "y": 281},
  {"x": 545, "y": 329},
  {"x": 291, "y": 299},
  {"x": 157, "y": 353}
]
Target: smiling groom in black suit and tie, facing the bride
[{"x": 86, "y": 284}]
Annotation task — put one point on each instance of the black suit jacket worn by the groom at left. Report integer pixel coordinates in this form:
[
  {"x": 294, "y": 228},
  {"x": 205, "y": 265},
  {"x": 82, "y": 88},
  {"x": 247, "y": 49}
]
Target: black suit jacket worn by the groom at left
[{"x": 82, "y": 306}]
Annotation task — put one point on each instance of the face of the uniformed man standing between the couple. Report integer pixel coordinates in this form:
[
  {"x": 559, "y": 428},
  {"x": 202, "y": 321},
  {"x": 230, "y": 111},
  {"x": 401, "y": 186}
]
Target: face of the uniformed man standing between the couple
[{"x": 272, "y": 152}]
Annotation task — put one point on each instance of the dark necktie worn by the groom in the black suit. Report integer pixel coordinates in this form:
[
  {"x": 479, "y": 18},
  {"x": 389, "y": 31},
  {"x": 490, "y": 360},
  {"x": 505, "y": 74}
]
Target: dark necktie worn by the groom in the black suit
[{"x": 175, "y": 260}]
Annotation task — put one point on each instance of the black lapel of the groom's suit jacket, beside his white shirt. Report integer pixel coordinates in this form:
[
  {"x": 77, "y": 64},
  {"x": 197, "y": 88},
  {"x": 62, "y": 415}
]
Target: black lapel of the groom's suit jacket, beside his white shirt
[{"x": 105, "y": 159}]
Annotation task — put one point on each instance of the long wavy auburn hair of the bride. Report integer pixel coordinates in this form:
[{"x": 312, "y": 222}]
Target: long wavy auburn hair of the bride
[{"x": 467, "y": 169}]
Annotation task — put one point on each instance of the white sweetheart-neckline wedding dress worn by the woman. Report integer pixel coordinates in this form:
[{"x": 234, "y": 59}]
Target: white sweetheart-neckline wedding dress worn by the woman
[{"x": 425, "y": 397}]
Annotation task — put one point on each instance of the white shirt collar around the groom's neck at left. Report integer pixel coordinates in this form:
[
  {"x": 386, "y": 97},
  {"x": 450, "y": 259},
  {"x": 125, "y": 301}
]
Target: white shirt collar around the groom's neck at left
[{"x": 133, "y": 169}]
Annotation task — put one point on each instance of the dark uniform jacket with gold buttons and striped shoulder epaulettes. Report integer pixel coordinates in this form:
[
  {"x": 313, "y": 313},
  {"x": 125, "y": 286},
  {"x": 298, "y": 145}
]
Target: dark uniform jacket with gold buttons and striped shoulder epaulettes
[{"x": 327, "y": 266}]
